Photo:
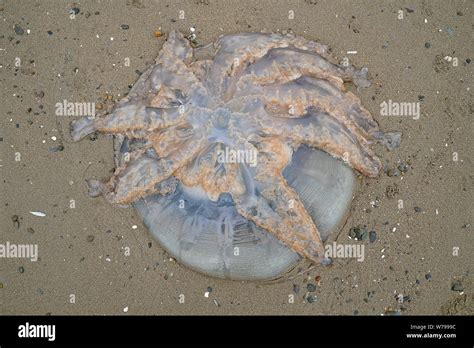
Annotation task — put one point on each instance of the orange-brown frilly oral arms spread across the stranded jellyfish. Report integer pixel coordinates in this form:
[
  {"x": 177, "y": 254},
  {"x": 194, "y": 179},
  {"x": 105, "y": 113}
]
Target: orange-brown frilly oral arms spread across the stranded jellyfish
[{"x": 302, "y": 101}]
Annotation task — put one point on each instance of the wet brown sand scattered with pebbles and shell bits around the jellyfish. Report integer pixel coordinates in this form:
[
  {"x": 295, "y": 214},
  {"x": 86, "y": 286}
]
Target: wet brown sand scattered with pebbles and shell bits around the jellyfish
[{"x": 421, "y": 260}]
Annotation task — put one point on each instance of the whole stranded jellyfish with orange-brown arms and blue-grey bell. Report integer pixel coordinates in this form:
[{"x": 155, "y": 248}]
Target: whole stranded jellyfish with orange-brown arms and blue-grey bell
[{"x": 240, "y": 165}]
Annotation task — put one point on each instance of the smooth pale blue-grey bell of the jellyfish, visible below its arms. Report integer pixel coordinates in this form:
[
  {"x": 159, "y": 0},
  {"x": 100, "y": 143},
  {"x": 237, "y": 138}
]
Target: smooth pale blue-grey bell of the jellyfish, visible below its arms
[{"x": 212, "y": 238}]
